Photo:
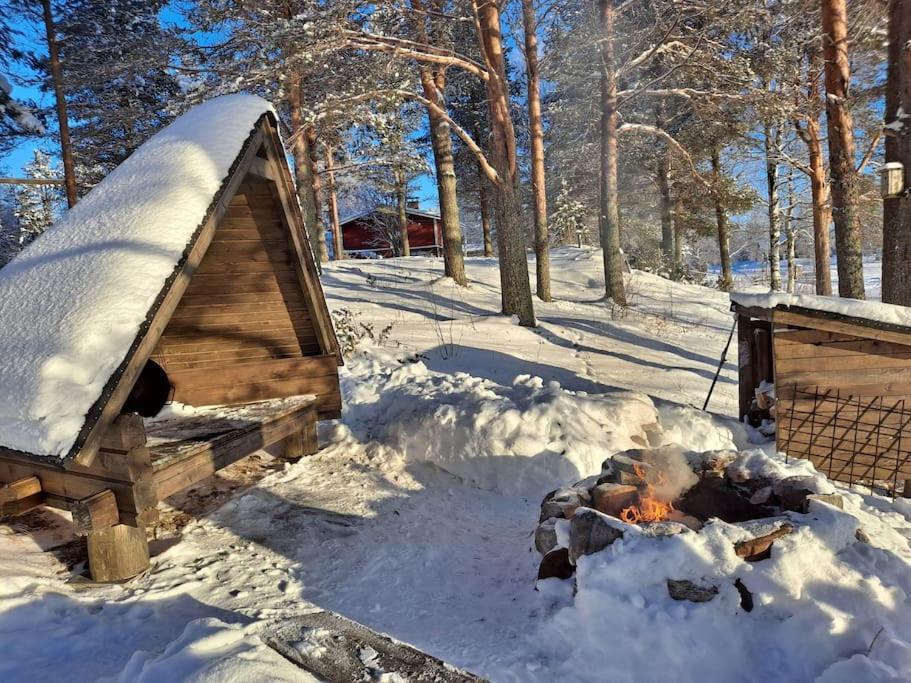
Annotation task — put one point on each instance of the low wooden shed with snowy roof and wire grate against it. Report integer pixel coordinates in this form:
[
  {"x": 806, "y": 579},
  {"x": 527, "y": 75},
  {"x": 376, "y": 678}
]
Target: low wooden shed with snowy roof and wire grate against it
[{"x": 842, "y": 382}]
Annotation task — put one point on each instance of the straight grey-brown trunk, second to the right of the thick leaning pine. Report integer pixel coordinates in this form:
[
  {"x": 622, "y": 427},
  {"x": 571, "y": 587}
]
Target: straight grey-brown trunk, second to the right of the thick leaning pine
[{"x": 609, "y": 199}]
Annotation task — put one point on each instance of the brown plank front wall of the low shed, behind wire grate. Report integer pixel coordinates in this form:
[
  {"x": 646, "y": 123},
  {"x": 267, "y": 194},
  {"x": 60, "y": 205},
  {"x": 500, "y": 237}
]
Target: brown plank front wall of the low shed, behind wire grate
[{"x": 844, "y": 402}]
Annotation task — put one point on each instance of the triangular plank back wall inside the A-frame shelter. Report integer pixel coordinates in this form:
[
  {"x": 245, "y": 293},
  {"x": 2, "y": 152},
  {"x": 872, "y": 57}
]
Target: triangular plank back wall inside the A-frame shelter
[{"x": 244, "y": 328}]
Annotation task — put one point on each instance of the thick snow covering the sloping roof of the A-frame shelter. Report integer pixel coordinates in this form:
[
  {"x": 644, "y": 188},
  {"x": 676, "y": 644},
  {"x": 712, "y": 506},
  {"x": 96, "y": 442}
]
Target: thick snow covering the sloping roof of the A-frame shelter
[{"x": 72, "y": 303}]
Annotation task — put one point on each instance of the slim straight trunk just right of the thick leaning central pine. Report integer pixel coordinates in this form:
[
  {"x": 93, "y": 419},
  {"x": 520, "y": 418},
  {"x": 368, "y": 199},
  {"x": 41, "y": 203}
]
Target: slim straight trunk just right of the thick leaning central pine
[{"x": 536, "y": 134}]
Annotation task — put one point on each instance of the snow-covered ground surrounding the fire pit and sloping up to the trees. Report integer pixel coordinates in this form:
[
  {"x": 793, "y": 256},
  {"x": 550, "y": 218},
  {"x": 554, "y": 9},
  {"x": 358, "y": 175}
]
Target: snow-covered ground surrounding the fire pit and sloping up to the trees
[{"x": 416, "y": 517}]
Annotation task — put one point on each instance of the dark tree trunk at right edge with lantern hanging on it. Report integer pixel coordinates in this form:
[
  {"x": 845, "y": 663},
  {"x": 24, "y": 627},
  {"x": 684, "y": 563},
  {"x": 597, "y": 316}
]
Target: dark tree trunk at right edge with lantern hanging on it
[{"x": 896, "y": 284}]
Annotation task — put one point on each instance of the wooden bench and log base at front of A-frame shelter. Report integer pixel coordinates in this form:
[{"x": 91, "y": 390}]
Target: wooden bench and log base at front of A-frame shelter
[{"x": 144, "y": 462}]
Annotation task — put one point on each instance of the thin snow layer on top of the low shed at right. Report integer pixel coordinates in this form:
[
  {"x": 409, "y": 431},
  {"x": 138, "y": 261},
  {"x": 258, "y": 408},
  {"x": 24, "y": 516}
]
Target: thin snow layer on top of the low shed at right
[{"x": 862, "y": 311}]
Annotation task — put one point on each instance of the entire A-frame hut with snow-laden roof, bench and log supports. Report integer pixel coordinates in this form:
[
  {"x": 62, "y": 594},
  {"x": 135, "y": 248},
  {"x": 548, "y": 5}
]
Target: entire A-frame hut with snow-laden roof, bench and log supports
[{"x": 190, "y": 255}]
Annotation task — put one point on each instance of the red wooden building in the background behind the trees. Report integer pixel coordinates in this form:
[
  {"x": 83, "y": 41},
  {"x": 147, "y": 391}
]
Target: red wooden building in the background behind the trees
[{"x": 364, "y": 236}]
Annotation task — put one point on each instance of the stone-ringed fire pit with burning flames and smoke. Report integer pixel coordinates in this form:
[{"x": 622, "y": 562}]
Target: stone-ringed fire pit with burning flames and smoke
[{"x": 666, "y": 491}]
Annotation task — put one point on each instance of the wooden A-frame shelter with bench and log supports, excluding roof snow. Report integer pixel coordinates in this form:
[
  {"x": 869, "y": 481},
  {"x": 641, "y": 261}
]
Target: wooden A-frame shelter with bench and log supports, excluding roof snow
[{"x": 241, "y": 324}]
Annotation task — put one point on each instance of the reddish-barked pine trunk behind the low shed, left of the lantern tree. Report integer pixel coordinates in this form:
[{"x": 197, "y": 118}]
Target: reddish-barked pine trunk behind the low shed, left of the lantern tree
[{"x": 848, "y": 247}]
